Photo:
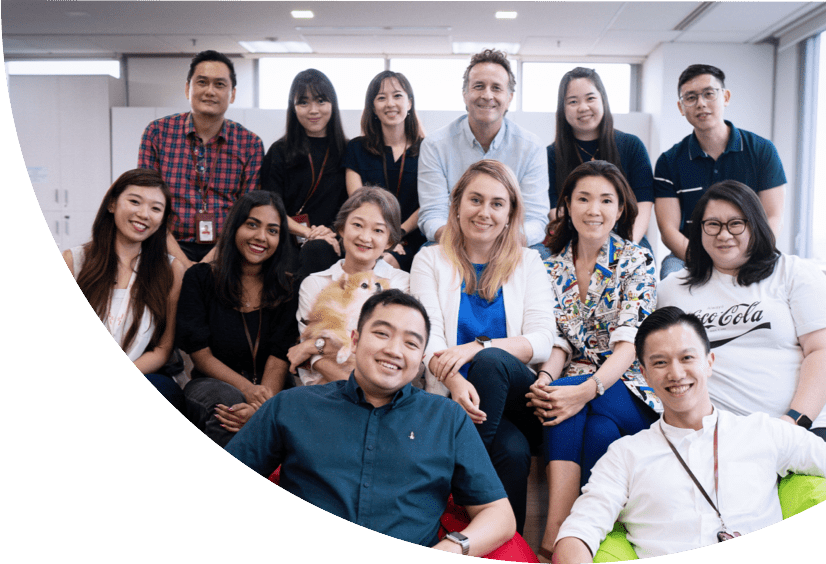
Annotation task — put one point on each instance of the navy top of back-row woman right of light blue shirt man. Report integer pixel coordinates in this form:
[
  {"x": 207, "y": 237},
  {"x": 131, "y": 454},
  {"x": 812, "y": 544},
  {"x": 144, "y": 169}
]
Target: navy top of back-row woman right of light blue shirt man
[{"x": 633, "y": 157}]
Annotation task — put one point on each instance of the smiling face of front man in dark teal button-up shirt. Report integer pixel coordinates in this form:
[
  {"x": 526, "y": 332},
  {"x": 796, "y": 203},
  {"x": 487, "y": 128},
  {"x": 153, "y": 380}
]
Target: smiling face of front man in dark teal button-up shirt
[{"x": 389, "y": 351}]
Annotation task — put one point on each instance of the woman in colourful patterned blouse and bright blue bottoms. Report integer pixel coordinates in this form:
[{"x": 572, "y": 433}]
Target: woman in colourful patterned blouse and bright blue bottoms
[{"x": 604, "y": 287}]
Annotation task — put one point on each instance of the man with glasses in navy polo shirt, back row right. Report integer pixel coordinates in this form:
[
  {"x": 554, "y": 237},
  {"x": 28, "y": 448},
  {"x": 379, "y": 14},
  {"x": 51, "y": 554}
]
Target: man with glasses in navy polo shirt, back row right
[{"x": 715, "y": 151}]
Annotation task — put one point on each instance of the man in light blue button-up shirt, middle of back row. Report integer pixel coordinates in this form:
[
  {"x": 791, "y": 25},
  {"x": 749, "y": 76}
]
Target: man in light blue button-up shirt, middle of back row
[{"x": 484, "y": 133}]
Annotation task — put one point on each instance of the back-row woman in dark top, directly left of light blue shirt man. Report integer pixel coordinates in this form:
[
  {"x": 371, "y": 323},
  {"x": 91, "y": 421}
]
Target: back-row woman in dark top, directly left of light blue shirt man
[{"x": 387, "y": 155}]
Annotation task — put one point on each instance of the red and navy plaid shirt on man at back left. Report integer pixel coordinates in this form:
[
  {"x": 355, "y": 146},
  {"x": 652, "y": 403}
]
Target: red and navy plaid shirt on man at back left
[{"x": 232, "y": 164}]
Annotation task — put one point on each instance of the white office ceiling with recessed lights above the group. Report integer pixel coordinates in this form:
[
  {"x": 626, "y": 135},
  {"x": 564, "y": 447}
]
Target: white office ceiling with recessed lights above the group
[{"x": 602, "y": 30}]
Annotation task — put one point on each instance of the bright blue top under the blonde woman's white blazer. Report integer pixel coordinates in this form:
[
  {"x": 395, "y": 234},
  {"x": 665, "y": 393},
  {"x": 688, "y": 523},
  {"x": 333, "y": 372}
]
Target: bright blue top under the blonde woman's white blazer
[{"x": 479, "y": 317}]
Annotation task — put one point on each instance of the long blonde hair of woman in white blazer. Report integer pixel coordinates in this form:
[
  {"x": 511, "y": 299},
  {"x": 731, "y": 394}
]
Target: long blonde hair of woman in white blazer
[{"x": 506, "y": 253}]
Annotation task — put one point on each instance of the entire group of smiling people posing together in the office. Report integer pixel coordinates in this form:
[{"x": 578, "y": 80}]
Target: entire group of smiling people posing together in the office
[{"x": 522, "y": 288}]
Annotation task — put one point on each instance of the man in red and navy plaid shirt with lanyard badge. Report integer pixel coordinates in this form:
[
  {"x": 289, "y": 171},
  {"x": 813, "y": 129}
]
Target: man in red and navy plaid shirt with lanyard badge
[{"x": 207, "y": 161}]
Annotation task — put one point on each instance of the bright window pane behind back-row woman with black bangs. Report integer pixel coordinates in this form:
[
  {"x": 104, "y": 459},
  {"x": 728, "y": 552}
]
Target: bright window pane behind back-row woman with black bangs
[{"x": 350, "y": 77}]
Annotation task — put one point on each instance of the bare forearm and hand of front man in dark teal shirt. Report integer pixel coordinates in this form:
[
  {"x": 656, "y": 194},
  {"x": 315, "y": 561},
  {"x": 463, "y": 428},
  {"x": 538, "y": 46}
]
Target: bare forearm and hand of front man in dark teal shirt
[{"x": 491, "y": 526}]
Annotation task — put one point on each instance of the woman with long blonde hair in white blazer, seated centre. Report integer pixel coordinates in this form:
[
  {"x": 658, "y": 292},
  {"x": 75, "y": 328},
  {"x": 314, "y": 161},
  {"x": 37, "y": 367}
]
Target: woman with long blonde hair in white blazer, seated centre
[{"x": 491, "y": 313}]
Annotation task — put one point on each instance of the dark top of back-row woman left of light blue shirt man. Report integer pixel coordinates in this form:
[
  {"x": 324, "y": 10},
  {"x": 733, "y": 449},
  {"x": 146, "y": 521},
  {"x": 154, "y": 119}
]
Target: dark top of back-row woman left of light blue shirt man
[{"x": 369, "y": 167}]
